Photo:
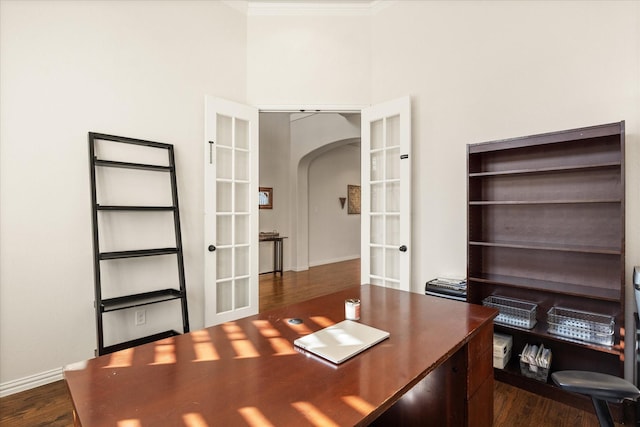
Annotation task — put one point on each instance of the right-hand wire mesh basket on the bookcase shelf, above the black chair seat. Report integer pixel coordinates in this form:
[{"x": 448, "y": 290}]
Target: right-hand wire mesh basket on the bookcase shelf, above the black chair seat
[{"x": 581, "y": 325}]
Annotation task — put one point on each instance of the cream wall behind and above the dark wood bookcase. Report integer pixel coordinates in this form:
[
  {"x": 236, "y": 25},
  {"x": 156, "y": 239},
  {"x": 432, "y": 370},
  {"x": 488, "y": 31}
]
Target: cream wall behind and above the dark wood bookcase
[{"x": 491, "y": 70}]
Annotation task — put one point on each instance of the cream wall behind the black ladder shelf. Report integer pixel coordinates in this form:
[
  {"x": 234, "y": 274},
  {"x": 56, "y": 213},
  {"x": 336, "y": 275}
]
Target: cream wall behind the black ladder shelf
[{"x": 132, "y": 68}]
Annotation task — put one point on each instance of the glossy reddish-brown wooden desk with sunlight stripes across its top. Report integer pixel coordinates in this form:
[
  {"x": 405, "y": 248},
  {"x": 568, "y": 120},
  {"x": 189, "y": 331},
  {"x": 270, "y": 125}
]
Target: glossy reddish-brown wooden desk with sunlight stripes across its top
[{"x": 436, "y": 366}]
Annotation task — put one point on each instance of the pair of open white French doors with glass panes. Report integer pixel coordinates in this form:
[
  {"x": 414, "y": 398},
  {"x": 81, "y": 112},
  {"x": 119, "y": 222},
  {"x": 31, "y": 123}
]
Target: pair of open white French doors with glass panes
[{"x": 231, "y": 204}]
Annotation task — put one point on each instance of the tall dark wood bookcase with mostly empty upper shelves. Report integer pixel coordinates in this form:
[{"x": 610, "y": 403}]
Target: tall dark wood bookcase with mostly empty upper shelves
[{"x": 546, "y": 225}]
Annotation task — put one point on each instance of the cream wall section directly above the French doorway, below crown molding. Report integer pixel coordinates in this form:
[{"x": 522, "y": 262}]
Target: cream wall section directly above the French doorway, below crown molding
[{"x": 300, "y": 60}]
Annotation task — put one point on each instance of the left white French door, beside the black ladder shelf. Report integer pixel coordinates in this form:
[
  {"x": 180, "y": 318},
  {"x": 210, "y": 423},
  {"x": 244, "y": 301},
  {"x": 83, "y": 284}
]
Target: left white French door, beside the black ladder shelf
[{"x": 231, "y": 211}]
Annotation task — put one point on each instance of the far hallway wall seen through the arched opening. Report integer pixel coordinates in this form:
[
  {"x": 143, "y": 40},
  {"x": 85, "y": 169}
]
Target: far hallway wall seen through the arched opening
[{"x": 334, "y": 235}]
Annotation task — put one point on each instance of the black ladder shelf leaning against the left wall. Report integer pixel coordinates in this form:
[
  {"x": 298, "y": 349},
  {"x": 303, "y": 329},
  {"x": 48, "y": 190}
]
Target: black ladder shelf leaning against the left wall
[{"x": 105, "y": 305}]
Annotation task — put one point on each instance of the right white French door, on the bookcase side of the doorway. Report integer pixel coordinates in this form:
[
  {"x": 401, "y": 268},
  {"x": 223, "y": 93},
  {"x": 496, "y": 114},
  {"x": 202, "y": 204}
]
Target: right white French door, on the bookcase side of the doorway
[{"x": 386, "y": 194}]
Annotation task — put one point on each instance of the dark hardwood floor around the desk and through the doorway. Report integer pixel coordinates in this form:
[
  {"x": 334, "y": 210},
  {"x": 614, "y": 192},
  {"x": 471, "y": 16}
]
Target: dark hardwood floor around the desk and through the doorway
[{"x": 50, "y": 405}]
